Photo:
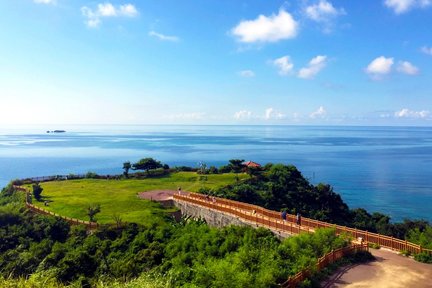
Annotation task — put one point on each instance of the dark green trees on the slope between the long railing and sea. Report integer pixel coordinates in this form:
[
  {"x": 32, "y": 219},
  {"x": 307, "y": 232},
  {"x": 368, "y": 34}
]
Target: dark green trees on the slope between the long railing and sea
[{"x": 283, "y": 187}]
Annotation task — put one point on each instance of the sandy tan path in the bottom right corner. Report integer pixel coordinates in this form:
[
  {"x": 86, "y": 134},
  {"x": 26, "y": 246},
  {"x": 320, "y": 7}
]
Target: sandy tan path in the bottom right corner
[{"x": 389, "y": 270}]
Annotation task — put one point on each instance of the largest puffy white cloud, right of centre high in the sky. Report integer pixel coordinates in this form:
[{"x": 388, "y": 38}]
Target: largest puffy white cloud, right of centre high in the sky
[{"x": 267, "y": 29}]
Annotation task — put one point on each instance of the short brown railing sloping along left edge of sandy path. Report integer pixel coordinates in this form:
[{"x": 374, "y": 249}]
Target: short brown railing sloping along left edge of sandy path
[{"x": 322, "y": 262}]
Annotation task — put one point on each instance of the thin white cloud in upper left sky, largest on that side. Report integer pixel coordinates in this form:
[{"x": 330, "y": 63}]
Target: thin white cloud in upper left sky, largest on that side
[{"x": 93, "y": 17}]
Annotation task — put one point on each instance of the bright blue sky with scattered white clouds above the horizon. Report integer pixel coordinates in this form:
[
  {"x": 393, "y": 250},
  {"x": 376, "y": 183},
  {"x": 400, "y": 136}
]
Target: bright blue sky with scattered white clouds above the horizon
[{"x": 216, "y": 62}]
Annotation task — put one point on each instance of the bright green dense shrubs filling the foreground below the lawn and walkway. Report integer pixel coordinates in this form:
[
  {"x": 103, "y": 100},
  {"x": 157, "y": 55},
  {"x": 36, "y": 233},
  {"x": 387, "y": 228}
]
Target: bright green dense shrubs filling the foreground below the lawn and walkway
[{"x": 185, "y": 254}]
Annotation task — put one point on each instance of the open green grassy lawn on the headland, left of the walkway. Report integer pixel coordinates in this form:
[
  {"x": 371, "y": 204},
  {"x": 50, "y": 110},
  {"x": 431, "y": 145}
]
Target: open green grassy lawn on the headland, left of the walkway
[{"x": 119, "y": 197}]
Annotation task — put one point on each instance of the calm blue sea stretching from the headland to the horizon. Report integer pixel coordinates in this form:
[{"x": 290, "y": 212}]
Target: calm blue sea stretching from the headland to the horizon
[{"x": 383, "y": 169}]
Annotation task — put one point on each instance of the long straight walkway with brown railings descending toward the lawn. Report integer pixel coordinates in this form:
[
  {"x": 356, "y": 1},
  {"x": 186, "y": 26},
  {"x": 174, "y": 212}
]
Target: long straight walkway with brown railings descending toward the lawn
[{"x": 272, "y": 219}]
